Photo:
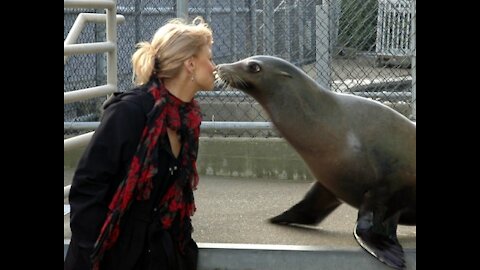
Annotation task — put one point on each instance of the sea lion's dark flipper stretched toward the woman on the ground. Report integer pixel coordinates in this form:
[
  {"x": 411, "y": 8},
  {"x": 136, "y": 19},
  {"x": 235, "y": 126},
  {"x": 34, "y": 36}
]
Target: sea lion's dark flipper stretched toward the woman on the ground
[{"x": 317, "y": 204}]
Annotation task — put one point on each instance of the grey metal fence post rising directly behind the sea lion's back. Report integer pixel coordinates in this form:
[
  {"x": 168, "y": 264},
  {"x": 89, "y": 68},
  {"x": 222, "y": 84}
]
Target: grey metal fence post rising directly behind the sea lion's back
[{"x": 322, "y": 64}]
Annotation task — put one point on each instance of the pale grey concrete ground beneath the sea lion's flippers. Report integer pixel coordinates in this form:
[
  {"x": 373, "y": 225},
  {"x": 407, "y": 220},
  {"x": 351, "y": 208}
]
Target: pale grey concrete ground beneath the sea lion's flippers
[{"x": 235, "y": 210}]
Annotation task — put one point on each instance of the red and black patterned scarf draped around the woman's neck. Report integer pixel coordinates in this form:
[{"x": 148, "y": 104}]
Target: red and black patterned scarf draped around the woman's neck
[{"x": 185, "y": 118}]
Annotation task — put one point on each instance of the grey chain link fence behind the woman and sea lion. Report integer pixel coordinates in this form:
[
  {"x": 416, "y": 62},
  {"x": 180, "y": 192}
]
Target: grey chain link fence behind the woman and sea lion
[{"x": 365, "y": 48}]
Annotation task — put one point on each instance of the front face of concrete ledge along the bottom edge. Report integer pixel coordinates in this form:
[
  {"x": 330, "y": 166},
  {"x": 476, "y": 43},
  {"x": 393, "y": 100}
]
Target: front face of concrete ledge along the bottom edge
[{"x": 215, "y": 256}]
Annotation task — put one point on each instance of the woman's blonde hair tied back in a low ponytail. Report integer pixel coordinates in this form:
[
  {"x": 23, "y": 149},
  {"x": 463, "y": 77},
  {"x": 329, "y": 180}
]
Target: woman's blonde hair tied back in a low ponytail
[{"x": 171, "y": 45}]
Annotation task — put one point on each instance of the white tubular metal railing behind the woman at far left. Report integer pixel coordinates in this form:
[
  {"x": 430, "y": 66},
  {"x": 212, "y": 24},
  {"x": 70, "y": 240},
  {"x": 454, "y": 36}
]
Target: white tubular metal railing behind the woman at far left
[{"x": 109, "y": 46}]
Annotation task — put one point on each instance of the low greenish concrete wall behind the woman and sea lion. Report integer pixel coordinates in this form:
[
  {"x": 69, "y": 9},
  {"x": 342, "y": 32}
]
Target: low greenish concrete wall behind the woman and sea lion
[{"x": 271, "y": 158}]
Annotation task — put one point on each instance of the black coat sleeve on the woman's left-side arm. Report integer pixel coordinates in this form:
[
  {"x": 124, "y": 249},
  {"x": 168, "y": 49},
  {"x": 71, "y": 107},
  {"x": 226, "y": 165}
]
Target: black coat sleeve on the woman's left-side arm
[{"x": 101, "y": 169}]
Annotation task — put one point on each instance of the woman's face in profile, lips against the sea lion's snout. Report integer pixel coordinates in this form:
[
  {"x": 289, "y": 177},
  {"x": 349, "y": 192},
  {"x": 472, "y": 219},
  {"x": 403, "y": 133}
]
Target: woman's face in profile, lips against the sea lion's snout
[{"x": 204, "y": 68}]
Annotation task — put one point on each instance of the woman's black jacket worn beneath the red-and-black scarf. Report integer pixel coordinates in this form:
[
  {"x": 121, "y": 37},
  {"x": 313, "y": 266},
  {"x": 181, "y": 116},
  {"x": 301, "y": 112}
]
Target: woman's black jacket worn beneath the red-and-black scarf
[{"x": 102, "y": 167}]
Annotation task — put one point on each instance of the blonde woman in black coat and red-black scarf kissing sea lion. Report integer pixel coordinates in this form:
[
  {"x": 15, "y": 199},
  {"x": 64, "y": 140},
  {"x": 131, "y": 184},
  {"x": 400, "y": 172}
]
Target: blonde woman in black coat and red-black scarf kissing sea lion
[{"x": 132, "y": 193}]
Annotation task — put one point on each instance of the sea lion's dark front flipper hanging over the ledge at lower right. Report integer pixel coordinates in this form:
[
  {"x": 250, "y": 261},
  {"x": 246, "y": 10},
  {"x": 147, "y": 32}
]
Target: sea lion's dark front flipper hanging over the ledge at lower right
[{"x": 377, "y": 235}]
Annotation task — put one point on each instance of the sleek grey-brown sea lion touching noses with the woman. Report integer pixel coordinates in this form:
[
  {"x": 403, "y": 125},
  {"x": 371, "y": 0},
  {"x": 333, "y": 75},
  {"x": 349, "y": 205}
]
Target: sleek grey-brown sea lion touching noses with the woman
[{"x": 360, "y": 151}]
